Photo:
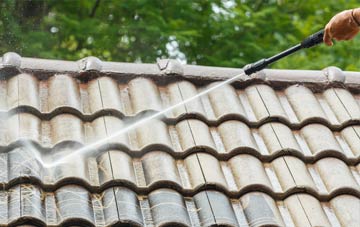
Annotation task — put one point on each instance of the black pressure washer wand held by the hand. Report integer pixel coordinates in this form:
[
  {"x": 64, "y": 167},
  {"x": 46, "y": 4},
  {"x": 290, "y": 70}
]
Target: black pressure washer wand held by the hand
[{"x": 310, "y": 41}]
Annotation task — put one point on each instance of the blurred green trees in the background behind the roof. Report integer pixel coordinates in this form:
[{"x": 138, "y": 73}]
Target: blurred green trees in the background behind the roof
[{"x": 217, "y": 32}]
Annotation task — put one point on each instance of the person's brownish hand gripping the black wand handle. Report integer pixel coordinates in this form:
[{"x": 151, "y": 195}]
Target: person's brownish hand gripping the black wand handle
[{"x": 343, "y": 26}]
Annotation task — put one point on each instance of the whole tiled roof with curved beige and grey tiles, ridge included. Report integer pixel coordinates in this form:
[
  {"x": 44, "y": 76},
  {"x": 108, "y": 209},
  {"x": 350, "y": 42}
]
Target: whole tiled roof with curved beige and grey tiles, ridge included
[{"x": 279, "y": 148}]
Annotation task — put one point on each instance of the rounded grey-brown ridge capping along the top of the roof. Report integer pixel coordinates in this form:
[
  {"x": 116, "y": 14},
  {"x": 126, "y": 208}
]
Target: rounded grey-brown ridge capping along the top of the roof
[{"x": 12, "y": 63}]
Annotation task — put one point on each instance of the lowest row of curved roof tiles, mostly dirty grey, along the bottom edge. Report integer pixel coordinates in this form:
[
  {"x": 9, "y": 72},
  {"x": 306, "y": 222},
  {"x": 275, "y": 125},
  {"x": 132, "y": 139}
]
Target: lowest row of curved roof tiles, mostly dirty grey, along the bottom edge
[{"x": 74, "y": 204}]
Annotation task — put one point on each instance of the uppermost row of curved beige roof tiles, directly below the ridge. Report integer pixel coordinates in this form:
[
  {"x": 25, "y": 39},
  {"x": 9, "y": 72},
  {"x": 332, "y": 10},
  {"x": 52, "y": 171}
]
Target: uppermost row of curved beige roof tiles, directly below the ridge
[{"x": 122, "y": 98}]
